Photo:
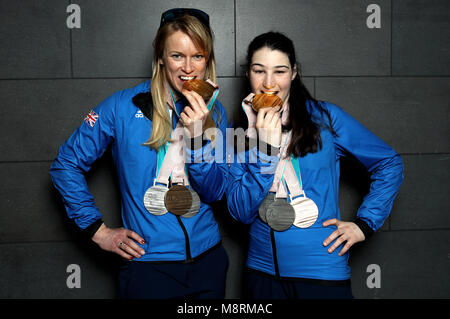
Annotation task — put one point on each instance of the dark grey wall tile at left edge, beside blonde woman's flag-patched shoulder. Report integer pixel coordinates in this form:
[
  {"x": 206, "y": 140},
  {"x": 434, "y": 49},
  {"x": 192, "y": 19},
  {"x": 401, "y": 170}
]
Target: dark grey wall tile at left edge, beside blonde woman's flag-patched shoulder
[{"x": 34, "y": 124}]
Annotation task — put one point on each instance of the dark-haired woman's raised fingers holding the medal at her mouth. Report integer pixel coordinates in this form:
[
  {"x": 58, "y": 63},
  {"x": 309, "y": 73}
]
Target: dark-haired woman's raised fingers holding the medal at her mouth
[{"x": 268, "y": 124}]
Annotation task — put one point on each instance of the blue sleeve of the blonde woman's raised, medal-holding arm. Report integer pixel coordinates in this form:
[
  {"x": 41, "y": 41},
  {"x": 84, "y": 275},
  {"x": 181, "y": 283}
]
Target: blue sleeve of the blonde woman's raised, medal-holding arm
[{"x": 206, "y": 166}]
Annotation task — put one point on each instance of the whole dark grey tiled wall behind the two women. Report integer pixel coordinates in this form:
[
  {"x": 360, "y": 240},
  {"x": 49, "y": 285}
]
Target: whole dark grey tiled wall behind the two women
[{"x": 394, "y": 80}]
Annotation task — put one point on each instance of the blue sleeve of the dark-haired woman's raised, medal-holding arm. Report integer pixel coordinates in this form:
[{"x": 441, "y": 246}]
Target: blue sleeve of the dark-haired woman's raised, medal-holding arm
[{"x": 250, "y": 178}]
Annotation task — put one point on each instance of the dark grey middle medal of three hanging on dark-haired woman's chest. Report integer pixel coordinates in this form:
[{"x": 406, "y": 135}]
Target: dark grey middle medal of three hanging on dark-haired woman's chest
[{"x": 280, "y": 214}]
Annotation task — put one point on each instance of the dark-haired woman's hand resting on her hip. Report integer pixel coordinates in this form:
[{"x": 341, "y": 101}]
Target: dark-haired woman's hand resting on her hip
[{"x": 346, "y": 232}]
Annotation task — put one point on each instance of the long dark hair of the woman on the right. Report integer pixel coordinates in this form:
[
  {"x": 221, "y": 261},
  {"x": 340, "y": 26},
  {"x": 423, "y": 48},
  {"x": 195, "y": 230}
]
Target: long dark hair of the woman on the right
[{"x": 305, "y": 132}]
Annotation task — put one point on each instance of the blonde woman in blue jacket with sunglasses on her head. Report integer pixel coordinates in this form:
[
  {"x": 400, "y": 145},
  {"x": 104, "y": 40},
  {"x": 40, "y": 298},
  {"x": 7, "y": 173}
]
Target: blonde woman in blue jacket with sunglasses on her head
[{"x": 170, "y": 239}]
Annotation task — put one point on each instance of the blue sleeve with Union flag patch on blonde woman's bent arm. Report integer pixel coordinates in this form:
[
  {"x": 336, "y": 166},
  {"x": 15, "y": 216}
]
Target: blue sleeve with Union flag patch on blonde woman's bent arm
[{"x": 75, "y": 158}]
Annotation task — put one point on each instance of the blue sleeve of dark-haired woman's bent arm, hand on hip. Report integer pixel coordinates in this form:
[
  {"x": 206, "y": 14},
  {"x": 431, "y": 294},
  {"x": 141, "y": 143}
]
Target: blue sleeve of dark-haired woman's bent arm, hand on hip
[{"x": 384, "y": 164}]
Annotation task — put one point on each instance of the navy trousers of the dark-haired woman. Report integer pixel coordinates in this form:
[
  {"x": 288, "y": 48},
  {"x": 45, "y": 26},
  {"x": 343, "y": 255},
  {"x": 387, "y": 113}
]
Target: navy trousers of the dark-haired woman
[{"x": 263, "y": 286}]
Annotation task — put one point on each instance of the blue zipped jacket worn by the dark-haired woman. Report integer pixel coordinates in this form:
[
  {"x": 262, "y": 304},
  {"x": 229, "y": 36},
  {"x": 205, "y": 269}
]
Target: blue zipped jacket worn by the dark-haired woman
[{"x": 297, "y": 252}]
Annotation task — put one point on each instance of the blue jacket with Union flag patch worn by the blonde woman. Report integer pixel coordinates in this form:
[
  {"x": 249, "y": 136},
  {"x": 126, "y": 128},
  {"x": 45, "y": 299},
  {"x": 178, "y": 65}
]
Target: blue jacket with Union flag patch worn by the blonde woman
[{"x": 119, "y": 123}]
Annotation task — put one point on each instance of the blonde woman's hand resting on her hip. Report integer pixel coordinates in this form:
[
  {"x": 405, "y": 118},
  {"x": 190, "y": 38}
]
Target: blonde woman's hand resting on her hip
[{"x": 120, "y": 241}]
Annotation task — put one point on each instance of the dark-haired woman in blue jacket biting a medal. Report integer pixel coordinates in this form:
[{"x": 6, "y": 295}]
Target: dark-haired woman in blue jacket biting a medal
[{"x": 286, "y": 187}]
